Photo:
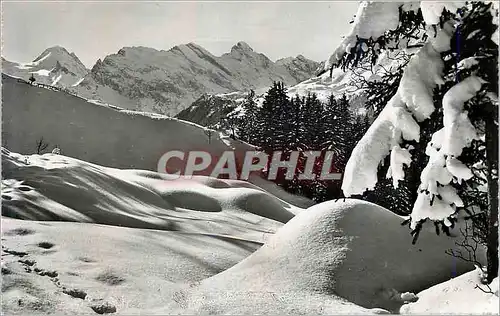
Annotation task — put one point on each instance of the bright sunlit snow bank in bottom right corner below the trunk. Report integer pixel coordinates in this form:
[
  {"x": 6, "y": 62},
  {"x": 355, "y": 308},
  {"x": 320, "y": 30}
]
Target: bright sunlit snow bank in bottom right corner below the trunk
[{"x": 457, "y": 296}]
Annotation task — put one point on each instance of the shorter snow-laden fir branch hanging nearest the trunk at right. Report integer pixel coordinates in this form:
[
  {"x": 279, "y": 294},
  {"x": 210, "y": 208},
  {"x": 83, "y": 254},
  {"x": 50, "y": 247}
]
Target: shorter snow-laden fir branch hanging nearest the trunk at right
[{"x": 444, "y": 148}]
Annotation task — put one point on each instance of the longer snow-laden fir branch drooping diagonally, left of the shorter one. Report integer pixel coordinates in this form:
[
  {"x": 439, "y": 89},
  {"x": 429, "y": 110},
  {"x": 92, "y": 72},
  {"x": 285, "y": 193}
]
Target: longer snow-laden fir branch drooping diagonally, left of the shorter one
[{"x": 398, "y": 121}]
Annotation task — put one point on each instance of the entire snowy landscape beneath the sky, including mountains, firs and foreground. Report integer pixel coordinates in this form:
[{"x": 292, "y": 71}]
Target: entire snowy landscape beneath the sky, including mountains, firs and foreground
[{"x": 403, "y": 109}]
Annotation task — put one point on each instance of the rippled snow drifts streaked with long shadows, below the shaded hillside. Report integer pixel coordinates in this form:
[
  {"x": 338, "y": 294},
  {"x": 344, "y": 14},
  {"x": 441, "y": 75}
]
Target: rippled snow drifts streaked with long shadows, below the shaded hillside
[{"x": 56, "y": 187}]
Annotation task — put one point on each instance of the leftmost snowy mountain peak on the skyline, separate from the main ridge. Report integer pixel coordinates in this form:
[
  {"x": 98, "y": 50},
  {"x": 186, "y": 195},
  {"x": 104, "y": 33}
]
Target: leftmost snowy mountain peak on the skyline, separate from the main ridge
[{"x": 55, "y": 66}]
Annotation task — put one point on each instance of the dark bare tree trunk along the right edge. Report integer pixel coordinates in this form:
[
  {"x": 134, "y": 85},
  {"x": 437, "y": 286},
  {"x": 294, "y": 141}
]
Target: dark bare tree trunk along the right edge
[{"x": 492, "y": 177}]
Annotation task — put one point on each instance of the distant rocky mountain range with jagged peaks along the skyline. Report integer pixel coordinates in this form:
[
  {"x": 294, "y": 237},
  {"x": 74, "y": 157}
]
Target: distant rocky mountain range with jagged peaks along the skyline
[{"x": 166, "y": 82}]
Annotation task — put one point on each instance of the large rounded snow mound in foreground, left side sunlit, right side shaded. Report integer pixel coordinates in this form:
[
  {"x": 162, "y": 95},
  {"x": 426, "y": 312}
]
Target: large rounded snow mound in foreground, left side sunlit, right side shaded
[{"x": 355, "y": 250}]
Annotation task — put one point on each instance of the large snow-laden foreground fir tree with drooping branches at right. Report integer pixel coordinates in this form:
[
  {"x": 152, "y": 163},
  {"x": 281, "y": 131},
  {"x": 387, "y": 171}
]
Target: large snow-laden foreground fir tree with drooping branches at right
[{"x": 462, "y": 117}]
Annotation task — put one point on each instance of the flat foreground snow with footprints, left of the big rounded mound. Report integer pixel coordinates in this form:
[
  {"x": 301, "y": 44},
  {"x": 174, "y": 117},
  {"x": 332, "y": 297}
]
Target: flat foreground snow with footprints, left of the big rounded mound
[{"x": 89, "y": 268}]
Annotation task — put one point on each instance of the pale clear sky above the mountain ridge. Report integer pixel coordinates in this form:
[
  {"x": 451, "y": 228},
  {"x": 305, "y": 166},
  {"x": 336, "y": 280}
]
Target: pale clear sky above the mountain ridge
[{"x": 95, "y": 29}]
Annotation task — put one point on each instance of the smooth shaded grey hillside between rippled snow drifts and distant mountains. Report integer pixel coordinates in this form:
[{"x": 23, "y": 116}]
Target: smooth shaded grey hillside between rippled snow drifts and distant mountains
[{"x": 107, "y": 135}]
